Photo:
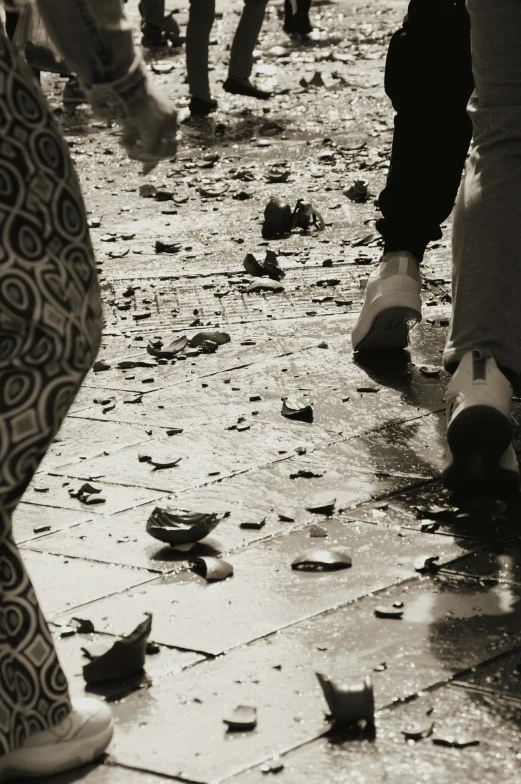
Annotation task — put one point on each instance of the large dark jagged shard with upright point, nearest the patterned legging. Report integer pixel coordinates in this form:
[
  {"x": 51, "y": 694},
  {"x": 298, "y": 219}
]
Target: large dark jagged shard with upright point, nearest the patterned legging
[{"x": 124, "y": 658}]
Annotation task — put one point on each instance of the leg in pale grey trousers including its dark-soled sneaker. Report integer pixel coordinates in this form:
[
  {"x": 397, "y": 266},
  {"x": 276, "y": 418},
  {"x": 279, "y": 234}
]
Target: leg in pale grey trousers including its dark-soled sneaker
[{"x": 485, "y": 332}]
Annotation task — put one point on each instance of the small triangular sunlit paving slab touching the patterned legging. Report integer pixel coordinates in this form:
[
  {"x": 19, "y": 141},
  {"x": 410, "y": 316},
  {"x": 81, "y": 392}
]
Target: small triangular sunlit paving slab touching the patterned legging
[{"x": 63, "y": 583}]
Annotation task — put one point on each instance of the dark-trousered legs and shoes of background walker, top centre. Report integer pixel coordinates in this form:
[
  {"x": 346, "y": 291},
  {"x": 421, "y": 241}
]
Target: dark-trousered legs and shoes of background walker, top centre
[{"x": 200, "y": 21}]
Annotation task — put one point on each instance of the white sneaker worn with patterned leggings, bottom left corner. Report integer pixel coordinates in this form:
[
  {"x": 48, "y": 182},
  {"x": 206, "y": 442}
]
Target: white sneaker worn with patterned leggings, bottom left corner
[{"x": 80, "y": 738}]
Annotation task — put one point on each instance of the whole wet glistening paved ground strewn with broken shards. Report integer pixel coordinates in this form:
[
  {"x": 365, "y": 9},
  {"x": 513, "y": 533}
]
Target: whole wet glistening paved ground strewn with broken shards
[{"x": 450, "y": 664}]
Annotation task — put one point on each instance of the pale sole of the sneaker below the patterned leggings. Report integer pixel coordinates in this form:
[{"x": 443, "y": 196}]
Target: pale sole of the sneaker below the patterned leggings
[{"x": 65, "y": 756}]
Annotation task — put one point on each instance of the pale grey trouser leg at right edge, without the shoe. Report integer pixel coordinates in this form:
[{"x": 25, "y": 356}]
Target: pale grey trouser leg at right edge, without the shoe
[{"x": 487, "y": 220}]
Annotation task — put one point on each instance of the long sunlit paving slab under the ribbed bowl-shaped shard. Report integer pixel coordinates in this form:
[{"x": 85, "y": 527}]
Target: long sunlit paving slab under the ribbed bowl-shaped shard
[{"x": 256, "y": 495}]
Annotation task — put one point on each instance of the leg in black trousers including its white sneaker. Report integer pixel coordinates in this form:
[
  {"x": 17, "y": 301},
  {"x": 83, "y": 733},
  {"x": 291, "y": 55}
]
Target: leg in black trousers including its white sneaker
[{"x": 429, "y": 80}]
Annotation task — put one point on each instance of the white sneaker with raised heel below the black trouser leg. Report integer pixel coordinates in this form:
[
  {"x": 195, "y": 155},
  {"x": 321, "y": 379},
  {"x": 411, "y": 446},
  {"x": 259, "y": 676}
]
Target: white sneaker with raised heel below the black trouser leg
[{"x": 392, "y": 304}]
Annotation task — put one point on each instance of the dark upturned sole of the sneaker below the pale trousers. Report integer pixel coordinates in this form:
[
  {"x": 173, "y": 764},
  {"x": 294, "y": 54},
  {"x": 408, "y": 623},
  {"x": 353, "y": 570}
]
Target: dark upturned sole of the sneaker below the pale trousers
[{"x": 477, "y": 439}]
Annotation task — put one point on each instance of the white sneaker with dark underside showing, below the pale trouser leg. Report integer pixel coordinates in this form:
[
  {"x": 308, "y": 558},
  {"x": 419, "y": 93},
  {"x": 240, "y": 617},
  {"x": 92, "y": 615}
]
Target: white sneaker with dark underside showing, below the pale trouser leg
[{"x": 480, "y": 455}]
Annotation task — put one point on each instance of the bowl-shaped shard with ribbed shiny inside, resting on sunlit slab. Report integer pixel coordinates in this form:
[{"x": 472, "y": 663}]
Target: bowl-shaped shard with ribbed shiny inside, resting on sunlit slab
[{"x": 176, "y": 527}]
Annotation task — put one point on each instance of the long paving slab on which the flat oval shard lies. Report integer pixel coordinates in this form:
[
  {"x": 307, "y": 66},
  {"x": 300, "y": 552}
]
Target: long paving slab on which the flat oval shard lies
[{"x": 214, "y": 618}]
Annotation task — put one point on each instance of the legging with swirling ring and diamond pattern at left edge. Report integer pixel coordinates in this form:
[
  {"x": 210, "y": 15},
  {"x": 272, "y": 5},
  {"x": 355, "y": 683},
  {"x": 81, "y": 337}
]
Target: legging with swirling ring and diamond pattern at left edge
[{"x": 50, "y": 322}]
